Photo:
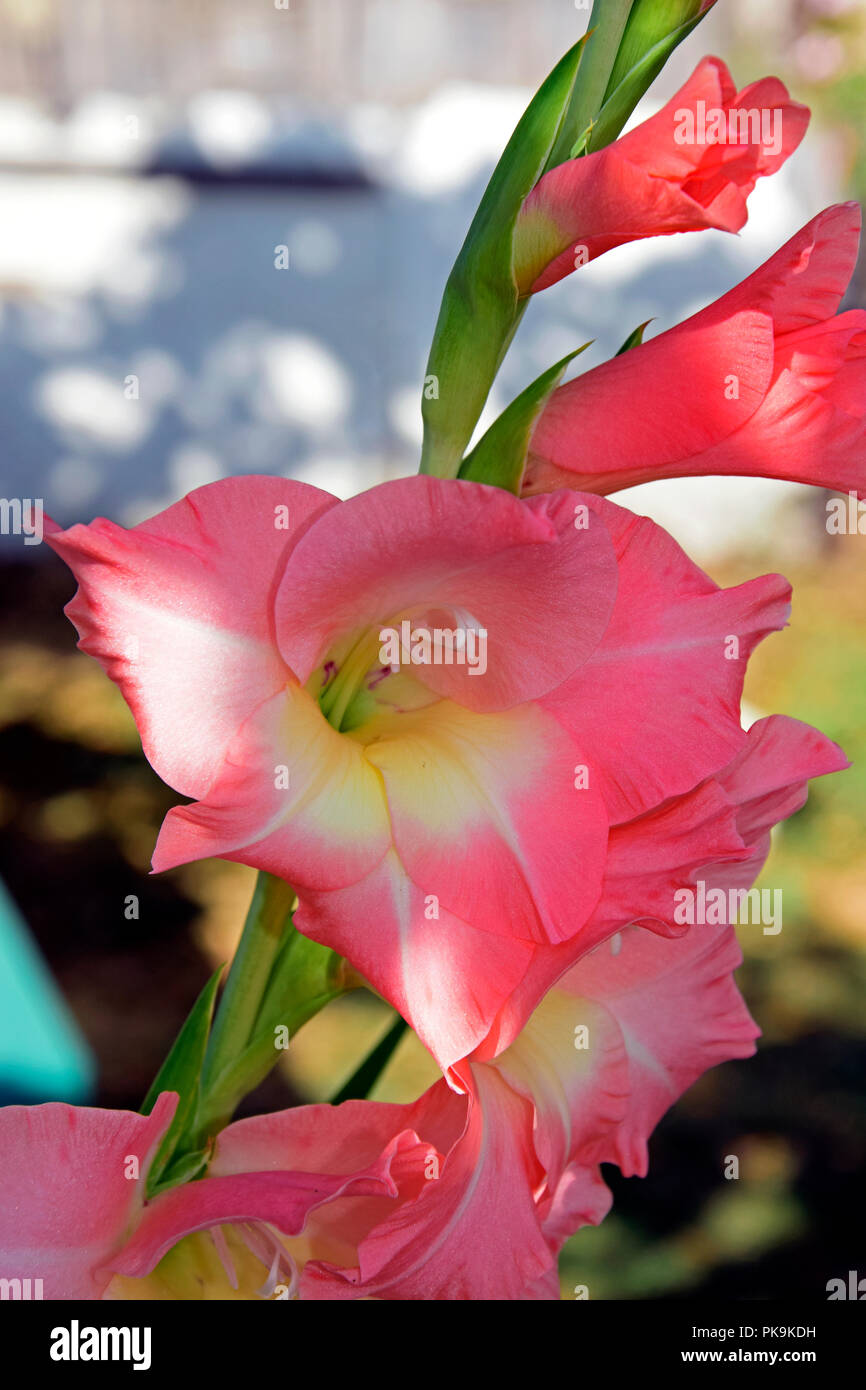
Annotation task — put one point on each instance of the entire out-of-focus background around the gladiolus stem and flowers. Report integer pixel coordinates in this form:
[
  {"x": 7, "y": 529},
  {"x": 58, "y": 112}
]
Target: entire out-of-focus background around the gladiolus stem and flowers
[{"x": 224, "y": 233}]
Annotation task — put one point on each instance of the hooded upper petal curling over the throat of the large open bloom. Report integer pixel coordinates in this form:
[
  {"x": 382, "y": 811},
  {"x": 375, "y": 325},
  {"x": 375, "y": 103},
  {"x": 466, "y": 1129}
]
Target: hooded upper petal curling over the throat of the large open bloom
[{"x": 466, "y": 555}]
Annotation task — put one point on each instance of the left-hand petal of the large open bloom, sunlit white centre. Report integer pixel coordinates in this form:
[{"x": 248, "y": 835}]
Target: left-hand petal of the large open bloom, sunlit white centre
[{"x": 179, "y": 611}]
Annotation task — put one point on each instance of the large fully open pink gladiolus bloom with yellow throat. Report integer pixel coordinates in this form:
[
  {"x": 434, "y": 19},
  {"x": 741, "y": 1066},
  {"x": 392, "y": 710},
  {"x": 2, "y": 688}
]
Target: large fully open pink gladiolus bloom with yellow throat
[{"x": 446, "y": 831}]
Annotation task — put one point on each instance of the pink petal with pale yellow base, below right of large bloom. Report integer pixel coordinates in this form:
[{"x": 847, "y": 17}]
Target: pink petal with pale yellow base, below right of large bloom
[{"x": 614, "y": 1046}]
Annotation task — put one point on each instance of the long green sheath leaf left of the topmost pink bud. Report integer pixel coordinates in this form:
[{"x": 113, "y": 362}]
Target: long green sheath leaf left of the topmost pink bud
[{"x": 480, "y": 308}]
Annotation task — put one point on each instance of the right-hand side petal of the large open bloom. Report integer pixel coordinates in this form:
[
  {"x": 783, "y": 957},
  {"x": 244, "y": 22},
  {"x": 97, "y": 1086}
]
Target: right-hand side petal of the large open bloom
[{"x": 660, "y": 700}]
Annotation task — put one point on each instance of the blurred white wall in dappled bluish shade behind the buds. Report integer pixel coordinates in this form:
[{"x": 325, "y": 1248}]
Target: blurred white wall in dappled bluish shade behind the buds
[{"x": 148, "y": 340}]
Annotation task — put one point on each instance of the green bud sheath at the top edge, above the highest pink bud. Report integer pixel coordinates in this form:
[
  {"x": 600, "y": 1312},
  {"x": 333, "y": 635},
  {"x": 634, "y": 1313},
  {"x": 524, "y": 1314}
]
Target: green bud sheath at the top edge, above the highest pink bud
[{"x": 651, "y": 37}]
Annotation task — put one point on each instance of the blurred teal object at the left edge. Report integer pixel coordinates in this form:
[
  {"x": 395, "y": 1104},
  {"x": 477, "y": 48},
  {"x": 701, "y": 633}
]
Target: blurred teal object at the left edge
[{"x": 44, "y": 1056}]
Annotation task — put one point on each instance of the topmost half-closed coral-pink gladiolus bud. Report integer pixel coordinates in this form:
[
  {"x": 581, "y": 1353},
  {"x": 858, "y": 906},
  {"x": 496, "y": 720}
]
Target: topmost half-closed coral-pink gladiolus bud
[{"x": 692, "y": 166}]
